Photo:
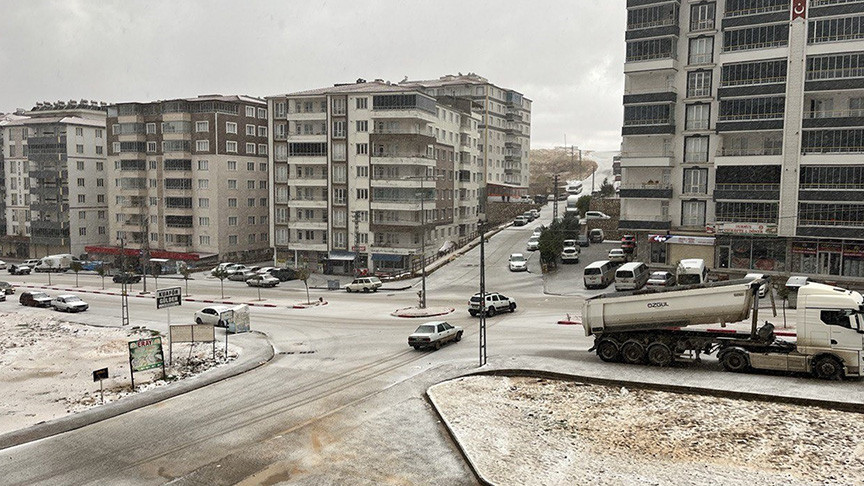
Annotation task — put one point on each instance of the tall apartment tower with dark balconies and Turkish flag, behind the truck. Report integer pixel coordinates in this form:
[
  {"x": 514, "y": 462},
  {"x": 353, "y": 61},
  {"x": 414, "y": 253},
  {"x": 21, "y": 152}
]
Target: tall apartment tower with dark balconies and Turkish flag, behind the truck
[{"x": 743, "y": 134}]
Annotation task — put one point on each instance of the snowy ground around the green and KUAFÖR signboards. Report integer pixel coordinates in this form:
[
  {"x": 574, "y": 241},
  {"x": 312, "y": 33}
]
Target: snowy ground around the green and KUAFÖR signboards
[{"x": 46, "y": 366}]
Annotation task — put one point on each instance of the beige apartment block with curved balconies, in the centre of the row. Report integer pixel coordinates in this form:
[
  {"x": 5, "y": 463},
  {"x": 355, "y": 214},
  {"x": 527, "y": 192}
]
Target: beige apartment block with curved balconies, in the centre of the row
[{"x": 360, "y": 170}]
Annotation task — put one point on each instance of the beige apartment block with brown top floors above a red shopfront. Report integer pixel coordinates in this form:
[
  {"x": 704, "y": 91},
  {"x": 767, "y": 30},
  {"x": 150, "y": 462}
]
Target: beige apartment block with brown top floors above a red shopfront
[{"x": 189, "y": 179}]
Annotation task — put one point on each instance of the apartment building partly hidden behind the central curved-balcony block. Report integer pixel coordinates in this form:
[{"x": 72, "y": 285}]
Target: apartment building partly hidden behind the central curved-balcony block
[{"x": 505, "y": 129}]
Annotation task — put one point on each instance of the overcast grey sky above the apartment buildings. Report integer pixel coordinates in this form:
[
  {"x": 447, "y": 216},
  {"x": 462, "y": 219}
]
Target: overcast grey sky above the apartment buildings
[{"x": 565, "y": 55}]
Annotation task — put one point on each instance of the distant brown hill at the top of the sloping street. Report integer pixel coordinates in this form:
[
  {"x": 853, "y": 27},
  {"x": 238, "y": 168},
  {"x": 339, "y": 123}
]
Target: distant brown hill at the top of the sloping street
[{"x": 545, "y": 163}]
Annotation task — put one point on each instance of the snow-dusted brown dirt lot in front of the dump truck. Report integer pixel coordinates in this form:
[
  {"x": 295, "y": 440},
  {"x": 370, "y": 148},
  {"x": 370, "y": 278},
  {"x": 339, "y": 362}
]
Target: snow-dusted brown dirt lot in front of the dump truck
[{"x": 536, "y": 431}]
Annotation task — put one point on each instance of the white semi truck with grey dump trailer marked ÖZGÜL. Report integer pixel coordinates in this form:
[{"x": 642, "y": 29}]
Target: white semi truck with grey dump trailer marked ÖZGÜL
[{"x": 654, "y": 326}]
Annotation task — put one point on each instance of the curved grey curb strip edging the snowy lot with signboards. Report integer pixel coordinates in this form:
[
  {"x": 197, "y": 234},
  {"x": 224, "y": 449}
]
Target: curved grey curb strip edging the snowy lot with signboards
[{"x": 128, "y": 404}]
